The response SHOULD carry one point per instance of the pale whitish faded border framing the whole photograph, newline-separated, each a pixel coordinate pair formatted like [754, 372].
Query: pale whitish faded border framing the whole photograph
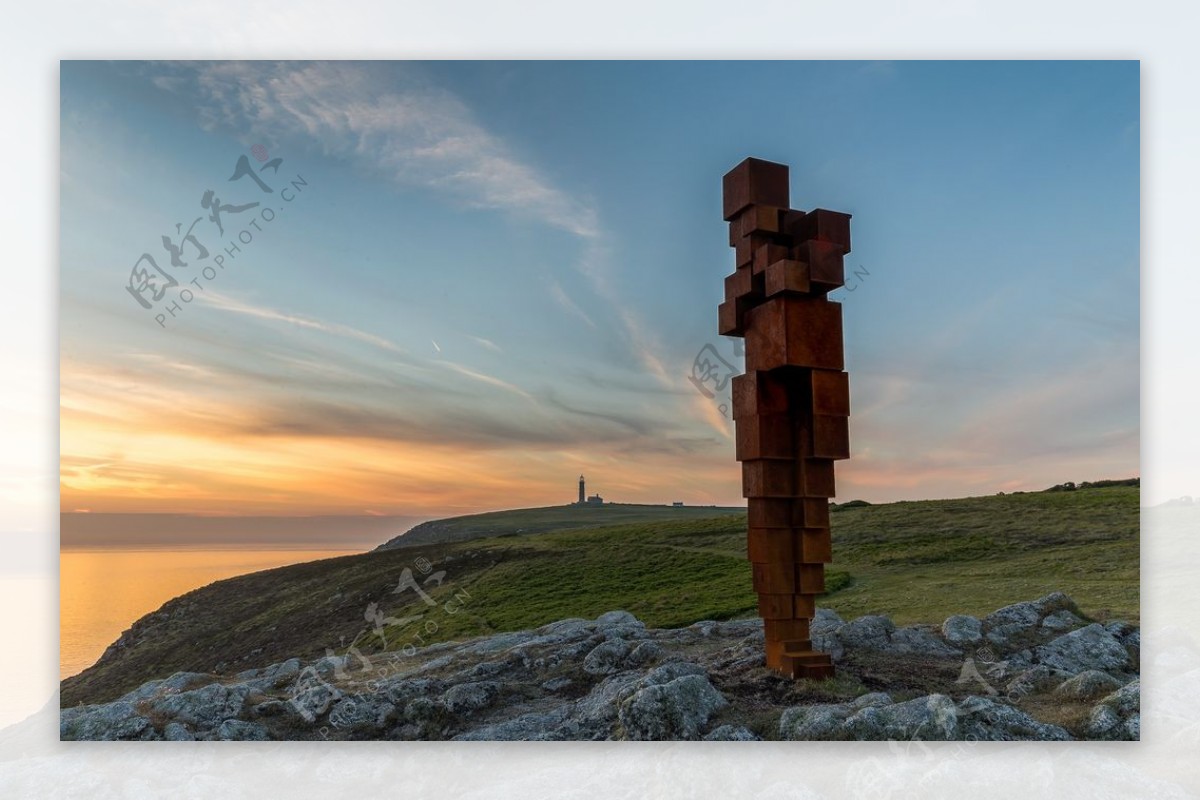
[37, 37]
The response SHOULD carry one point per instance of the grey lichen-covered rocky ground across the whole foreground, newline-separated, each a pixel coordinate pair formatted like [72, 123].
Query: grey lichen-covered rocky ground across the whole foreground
[1034, 671]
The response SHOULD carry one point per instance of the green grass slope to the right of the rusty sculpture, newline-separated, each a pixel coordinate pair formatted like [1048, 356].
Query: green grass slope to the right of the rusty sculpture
[919, 561]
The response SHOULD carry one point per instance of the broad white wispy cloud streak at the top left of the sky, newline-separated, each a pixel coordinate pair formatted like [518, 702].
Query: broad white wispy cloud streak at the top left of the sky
[385, 118]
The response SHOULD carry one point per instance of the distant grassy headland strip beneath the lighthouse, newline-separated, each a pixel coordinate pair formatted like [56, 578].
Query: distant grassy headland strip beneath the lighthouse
[549, 519]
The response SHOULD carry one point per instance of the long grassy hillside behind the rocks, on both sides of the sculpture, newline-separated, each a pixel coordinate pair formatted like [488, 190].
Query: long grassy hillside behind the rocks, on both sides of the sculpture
[915, 562]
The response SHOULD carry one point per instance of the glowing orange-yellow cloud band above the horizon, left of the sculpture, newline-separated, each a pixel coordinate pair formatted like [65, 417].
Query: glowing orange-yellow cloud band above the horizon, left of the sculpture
[161, 449]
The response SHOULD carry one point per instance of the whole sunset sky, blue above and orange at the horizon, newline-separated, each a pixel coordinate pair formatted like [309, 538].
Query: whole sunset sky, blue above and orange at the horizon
[491, 278]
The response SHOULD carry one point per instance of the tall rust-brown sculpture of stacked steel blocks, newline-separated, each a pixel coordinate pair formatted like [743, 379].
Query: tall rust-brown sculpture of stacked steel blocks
[793, 405]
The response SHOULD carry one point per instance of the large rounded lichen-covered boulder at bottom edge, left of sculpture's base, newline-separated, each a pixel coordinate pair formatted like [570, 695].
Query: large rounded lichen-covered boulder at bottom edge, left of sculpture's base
[676, 710]
